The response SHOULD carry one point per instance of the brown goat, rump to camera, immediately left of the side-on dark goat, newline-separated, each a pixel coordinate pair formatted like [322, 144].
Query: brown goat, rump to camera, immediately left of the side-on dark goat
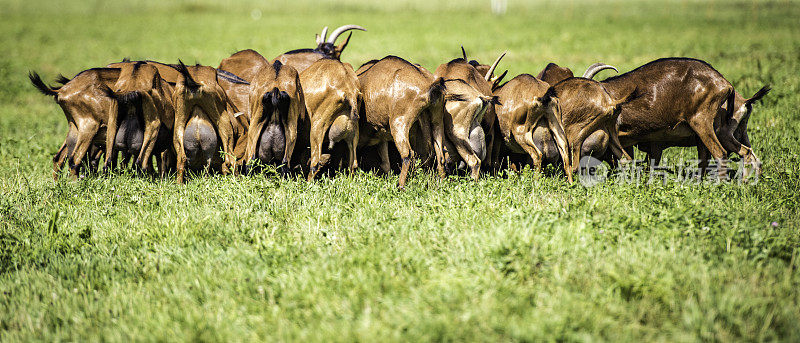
[587, 107]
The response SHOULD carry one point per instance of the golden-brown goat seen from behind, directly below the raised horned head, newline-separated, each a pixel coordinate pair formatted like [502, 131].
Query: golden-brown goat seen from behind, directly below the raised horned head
[332, 97]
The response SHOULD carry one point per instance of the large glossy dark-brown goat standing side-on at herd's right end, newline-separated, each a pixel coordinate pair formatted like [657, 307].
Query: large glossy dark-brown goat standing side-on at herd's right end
[680, 101]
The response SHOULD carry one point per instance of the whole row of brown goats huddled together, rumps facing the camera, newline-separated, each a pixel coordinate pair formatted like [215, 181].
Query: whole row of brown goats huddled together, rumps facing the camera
[306, 111]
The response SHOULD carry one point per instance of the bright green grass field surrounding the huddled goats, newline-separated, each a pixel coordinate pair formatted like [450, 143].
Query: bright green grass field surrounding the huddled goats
[523, 258]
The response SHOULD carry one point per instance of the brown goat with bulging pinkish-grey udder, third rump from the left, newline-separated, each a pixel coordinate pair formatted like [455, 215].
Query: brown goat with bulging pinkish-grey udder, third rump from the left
[203, 110]
